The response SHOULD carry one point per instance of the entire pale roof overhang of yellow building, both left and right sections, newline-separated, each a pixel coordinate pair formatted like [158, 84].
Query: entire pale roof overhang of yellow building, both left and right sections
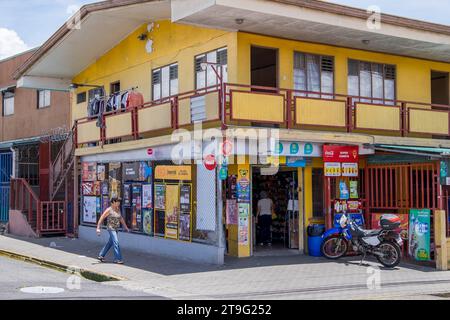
[103, 25]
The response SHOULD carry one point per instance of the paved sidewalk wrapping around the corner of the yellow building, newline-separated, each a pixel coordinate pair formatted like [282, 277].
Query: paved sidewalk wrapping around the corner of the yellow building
[264, 277]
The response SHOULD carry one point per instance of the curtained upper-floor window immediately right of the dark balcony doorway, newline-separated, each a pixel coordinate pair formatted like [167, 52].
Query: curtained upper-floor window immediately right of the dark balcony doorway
[313, 73]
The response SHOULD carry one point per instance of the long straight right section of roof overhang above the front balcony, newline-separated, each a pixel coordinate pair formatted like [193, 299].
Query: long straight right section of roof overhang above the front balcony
[319, 22]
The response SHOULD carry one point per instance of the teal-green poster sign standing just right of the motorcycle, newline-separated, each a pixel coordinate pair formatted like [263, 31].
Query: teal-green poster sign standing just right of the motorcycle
[419, 234]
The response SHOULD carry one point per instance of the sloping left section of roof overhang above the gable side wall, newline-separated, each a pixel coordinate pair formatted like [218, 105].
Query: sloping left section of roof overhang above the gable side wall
[83, 41]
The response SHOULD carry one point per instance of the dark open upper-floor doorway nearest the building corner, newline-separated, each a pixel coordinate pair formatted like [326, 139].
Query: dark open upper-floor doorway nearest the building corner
[264, 67]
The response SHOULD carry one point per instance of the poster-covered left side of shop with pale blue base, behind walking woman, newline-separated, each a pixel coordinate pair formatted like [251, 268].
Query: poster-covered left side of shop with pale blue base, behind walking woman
[162, 205]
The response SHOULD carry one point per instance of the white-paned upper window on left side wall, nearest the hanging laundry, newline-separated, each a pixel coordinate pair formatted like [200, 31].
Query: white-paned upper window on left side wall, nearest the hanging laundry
[165, 81]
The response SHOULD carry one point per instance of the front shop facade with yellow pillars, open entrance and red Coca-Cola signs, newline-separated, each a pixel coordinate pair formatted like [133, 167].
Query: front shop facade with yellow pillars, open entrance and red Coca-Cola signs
[305, 186]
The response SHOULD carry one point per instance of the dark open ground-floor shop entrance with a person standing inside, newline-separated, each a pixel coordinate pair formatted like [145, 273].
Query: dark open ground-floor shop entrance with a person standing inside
[277, 230]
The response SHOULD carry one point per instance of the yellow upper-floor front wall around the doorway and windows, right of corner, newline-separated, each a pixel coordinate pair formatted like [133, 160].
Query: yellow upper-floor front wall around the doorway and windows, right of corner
[413, 75]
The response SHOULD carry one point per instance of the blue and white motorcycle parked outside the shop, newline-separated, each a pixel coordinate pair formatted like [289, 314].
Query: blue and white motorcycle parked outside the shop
[384, 243]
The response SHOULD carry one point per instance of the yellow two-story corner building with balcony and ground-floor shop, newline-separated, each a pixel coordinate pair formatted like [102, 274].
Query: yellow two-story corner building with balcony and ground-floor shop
[325, 108]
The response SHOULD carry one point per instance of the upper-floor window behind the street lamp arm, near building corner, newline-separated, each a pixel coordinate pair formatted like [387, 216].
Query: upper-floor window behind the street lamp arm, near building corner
[208, 78]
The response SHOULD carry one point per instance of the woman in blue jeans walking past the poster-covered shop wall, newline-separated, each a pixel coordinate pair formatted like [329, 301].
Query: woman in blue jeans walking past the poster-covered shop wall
[113, 221]
